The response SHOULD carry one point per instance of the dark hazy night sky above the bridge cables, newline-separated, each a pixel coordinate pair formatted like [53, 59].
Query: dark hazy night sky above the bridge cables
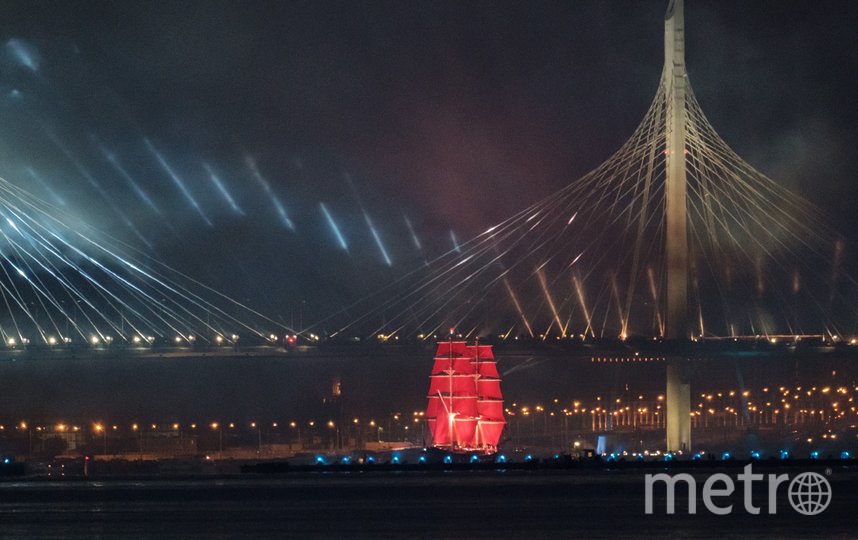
[454, 114]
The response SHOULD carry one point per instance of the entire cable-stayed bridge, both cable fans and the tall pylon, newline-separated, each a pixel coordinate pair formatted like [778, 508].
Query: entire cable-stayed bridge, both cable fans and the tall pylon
[673, 237]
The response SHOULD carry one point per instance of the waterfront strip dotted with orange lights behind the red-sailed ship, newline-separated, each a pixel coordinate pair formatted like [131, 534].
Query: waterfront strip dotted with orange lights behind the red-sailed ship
[797, 419]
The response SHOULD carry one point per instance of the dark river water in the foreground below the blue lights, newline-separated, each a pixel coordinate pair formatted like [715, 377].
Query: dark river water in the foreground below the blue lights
[595, 504]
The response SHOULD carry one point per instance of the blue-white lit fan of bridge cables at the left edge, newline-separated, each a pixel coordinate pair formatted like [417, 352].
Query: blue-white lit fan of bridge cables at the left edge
[64, 284]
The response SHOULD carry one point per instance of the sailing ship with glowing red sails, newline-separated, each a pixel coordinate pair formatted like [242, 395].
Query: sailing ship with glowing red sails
[465, 411]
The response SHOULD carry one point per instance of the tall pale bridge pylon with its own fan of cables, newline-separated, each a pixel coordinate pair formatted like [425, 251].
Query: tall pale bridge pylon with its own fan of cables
[674, 236]
